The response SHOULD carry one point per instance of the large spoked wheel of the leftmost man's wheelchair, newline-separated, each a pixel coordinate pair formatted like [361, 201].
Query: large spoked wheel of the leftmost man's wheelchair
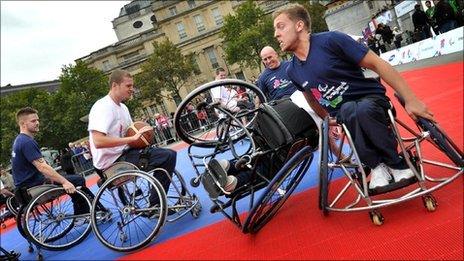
[51, 221]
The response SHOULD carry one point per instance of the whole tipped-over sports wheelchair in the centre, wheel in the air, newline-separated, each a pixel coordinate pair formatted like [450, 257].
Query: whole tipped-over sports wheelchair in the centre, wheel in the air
[257, 140]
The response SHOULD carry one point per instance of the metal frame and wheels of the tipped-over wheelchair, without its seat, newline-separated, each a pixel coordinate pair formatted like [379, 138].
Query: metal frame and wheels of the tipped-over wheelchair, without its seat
[262, 207]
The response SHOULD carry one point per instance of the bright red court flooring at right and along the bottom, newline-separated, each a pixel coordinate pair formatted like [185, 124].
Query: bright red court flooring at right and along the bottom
[299, 231]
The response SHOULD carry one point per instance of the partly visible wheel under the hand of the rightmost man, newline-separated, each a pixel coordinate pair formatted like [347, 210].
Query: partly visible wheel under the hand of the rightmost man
[443, 142]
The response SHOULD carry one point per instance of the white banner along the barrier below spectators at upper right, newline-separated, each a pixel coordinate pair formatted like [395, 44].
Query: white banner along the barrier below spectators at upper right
[449, 42]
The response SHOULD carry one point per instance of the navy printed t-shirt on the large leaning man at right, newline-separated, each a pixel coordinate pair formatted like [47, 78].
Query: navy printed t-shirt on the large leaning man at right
[332, 72]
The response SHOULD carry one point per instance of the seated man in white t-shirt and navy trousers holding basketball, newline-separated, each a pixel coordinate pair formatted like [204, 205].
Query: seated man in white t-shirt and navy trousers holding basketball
[109, 119]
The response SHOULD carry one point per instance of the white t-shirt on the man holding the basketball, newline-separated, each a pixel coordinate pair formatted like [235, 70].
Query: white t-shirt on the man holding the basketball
[113, 120]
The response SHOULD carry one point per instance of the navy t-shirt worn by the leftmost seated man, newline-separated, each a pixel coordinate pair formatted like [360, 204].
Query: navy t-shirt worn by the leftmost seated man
[25, 151]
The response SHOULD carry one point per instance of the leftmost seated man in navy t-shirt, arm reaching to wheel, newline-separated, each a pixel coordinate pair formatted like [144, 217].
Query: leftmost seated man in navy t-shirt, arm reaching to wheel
[30, 168]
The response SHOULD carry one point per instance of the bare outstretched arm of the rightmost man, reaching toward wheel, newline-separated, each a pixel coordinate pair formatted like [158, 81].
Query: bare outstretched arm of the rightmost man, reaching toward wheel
[414, 107]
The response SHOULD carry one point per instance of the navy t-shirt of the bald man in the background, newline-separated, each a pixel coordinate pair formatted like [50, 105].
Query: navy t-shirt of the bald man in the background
[275, 82]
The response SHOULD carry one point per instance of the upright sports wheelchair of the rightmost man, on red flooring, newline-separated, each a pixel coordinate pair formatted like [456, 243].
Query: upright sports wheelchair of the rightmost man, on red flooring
[419, 148]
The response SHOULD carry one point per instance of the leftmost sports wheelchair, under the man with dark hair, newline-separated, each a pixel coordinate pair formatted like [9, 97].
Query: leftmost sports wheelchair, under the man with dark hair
[46, 217]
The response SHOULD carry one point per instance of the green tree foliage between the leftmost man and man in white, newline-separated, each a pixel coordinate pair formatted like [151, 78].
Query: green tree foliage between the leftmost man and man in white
[59, 112]
